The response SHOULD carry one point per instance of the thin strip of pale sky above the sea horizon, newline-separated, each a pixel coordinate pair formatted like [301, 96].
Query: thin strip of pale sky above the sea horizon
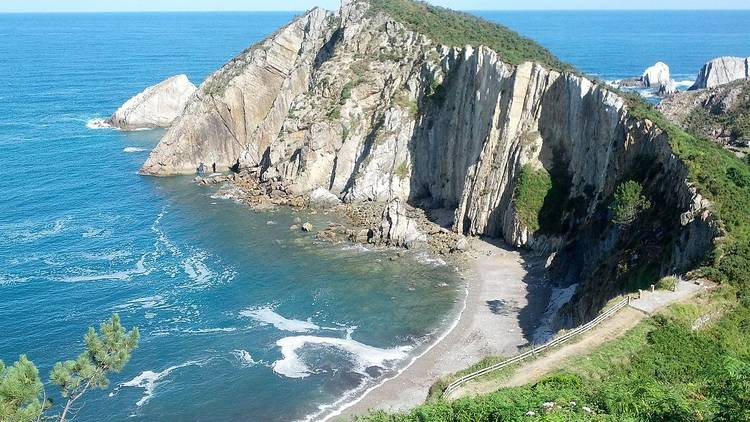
[185, 5]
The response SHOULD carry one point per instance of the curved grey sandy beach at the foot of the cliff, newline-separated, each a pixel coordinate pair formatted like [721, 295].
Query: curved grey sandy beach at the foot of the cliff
[506, 297]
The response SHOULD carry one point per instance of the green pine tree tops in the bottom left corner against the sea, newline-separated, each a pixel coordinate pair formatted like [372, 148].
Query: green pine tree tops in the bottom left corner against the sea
[22, 396]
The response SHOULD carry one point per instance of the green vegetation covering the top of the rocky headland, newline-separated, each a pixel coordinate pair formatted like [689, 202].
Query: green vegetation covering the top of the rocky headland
[456, 29]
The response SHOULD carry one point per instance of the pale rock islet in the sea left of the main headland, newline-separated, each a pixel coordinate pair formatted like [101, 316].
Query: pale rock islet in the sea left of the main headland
[156, 107]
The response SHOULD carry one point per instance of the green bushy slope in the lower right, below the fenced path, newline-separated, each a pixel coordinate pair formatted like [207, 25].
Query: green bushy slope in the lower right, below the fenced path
[661, 370]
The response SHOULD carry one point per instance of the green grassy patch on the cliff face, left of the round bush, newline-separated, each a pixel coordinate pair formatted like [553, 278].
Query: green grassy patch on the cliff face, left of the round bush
[533, 187]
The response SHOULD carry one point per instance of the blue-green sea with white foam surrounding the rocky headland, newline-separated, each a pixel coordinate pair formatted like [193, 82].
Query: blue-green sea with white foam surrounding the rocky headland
[241, 318]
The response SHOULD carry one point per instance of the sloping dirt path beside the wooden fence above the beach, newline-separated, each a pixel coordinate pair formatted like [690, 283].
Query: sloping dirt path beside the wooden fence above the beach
[610, 329]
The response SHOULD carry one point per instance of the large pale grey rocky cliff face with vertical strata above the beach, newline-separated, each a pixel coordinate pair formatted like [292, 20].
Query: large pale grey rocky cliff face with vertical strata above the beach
[356, 103]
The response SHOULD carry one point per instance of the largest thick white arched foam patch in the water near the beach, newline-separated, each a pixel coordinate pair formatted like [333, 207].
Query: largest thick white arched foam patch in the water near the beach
[364, 356]
